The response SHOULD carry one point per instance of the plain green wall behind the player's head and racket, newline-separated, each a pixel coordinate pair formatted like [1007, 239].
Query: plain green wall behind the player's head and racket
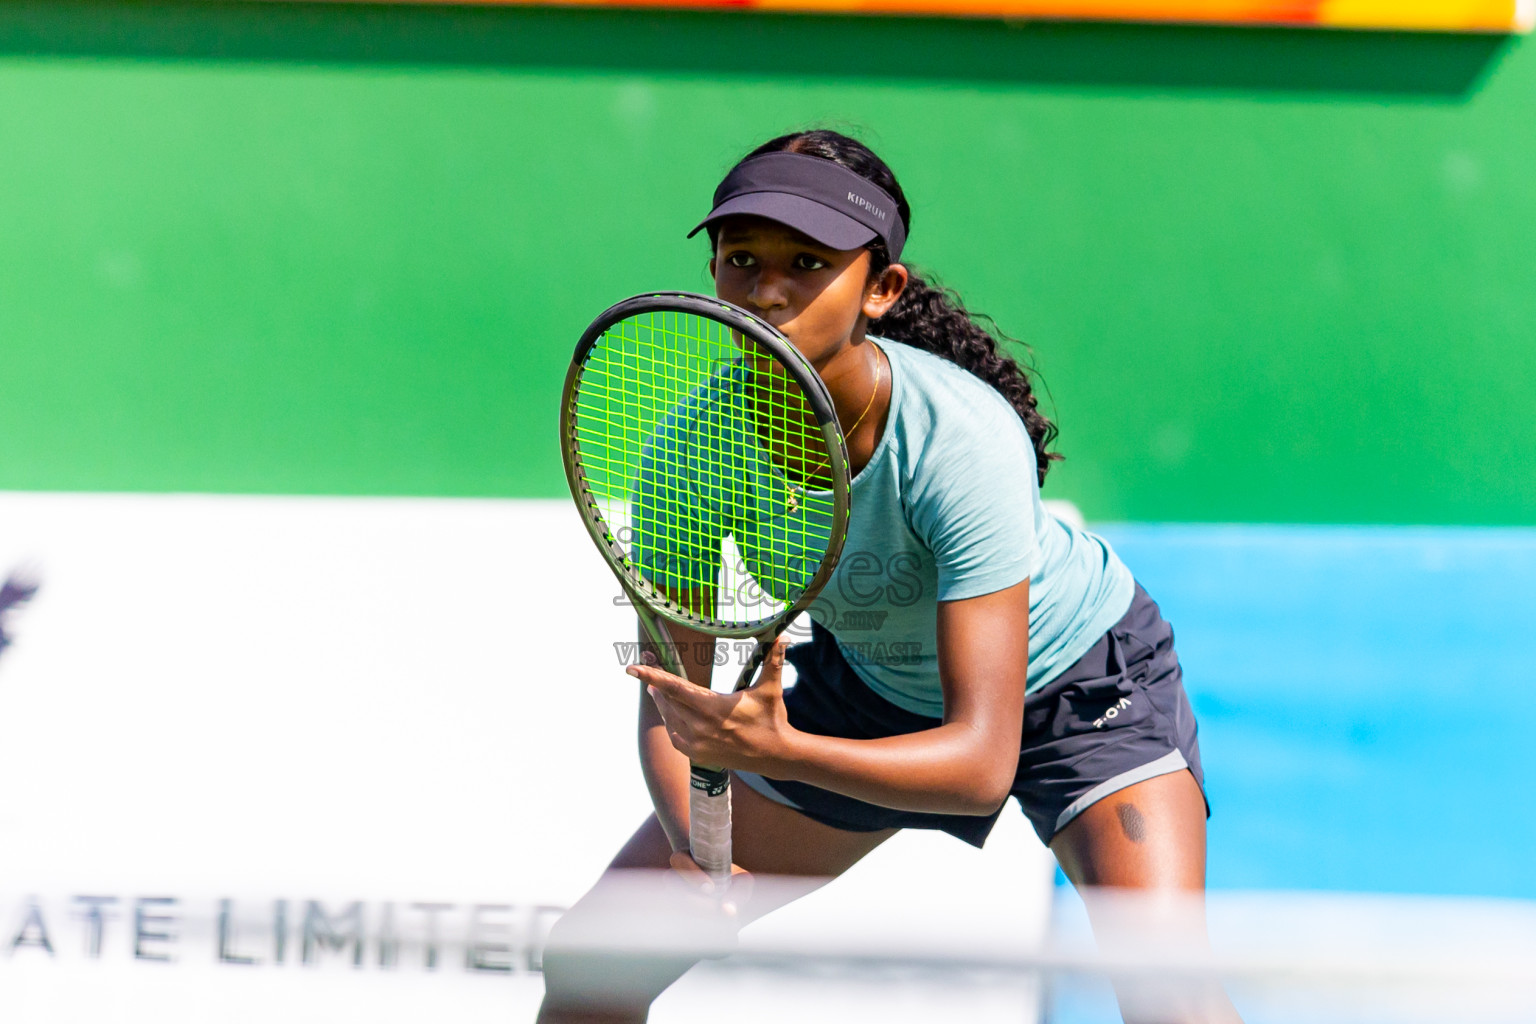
[1268, 276]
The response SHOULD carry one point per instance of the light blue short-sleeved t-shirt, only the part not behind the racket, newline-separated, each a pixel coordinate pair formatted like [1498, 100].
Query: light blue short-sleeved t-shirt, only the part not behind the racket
[948, 507]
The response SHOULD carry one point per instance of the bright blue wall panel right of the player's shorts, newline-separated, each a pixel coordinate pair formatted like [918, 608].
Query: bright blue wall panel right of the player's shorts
[1365, 701]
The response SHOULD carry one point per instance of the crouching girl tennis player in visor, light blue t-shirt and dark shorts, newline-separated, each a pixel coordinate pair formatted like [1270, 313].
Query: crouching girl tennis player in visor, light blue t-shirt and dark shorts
[970, 646]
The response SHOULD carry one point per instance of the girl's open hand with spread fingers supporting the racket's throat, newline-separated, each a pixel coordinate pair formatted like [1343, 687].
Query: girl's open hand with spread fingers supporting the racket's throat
[749, 730]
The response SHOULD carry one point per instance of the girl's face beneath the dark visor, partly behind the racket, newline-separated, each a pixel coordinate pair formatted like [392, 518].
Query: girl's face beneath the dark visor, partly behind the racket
[821, 299]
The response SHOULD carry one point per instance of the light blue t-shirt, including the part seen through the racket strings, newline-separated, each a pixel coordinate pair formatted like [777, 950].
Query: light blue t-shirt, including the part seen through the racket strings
[948, 507]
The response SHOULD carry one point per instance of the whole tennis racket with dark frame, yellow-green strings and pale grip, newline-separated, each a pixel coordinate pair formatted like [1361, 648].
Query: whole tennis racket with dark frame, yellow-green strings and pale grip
[709, 466]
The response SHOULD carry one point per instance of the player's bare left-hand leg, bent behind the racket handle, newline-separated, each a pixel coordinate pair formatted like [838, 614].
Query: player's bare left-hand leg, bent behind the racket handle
[767, 839]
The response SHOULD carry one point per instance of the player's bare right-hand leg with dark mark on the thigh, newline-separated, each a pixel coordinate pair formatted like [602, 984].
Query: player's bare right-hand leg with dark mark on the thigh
[1148, 837]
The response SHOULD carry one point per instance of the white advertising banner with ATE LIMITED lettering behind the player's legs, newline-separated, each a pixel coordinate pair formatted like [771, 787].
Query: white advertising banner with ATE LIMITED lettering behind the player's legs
[346, 759]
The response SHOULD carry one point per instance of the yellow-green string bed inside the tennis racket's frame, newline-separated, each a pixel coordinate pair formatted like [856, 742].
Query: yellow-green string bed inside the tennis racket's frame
[707, 466]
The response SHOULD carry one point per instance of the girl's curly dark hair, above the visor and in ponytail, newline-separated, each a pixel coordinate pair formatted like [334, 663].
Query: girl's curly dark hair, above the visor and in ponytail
[930, 315]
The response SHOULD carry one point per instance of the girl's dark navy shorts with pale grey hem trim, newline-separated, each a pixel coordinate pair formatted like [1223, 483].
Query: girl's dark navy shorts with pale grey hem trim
[1116, 718]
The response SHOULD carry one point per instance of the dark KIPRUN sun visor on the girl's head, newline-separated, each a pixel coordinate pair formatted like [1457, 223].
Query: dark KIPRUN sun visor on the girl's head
[821, 200]
